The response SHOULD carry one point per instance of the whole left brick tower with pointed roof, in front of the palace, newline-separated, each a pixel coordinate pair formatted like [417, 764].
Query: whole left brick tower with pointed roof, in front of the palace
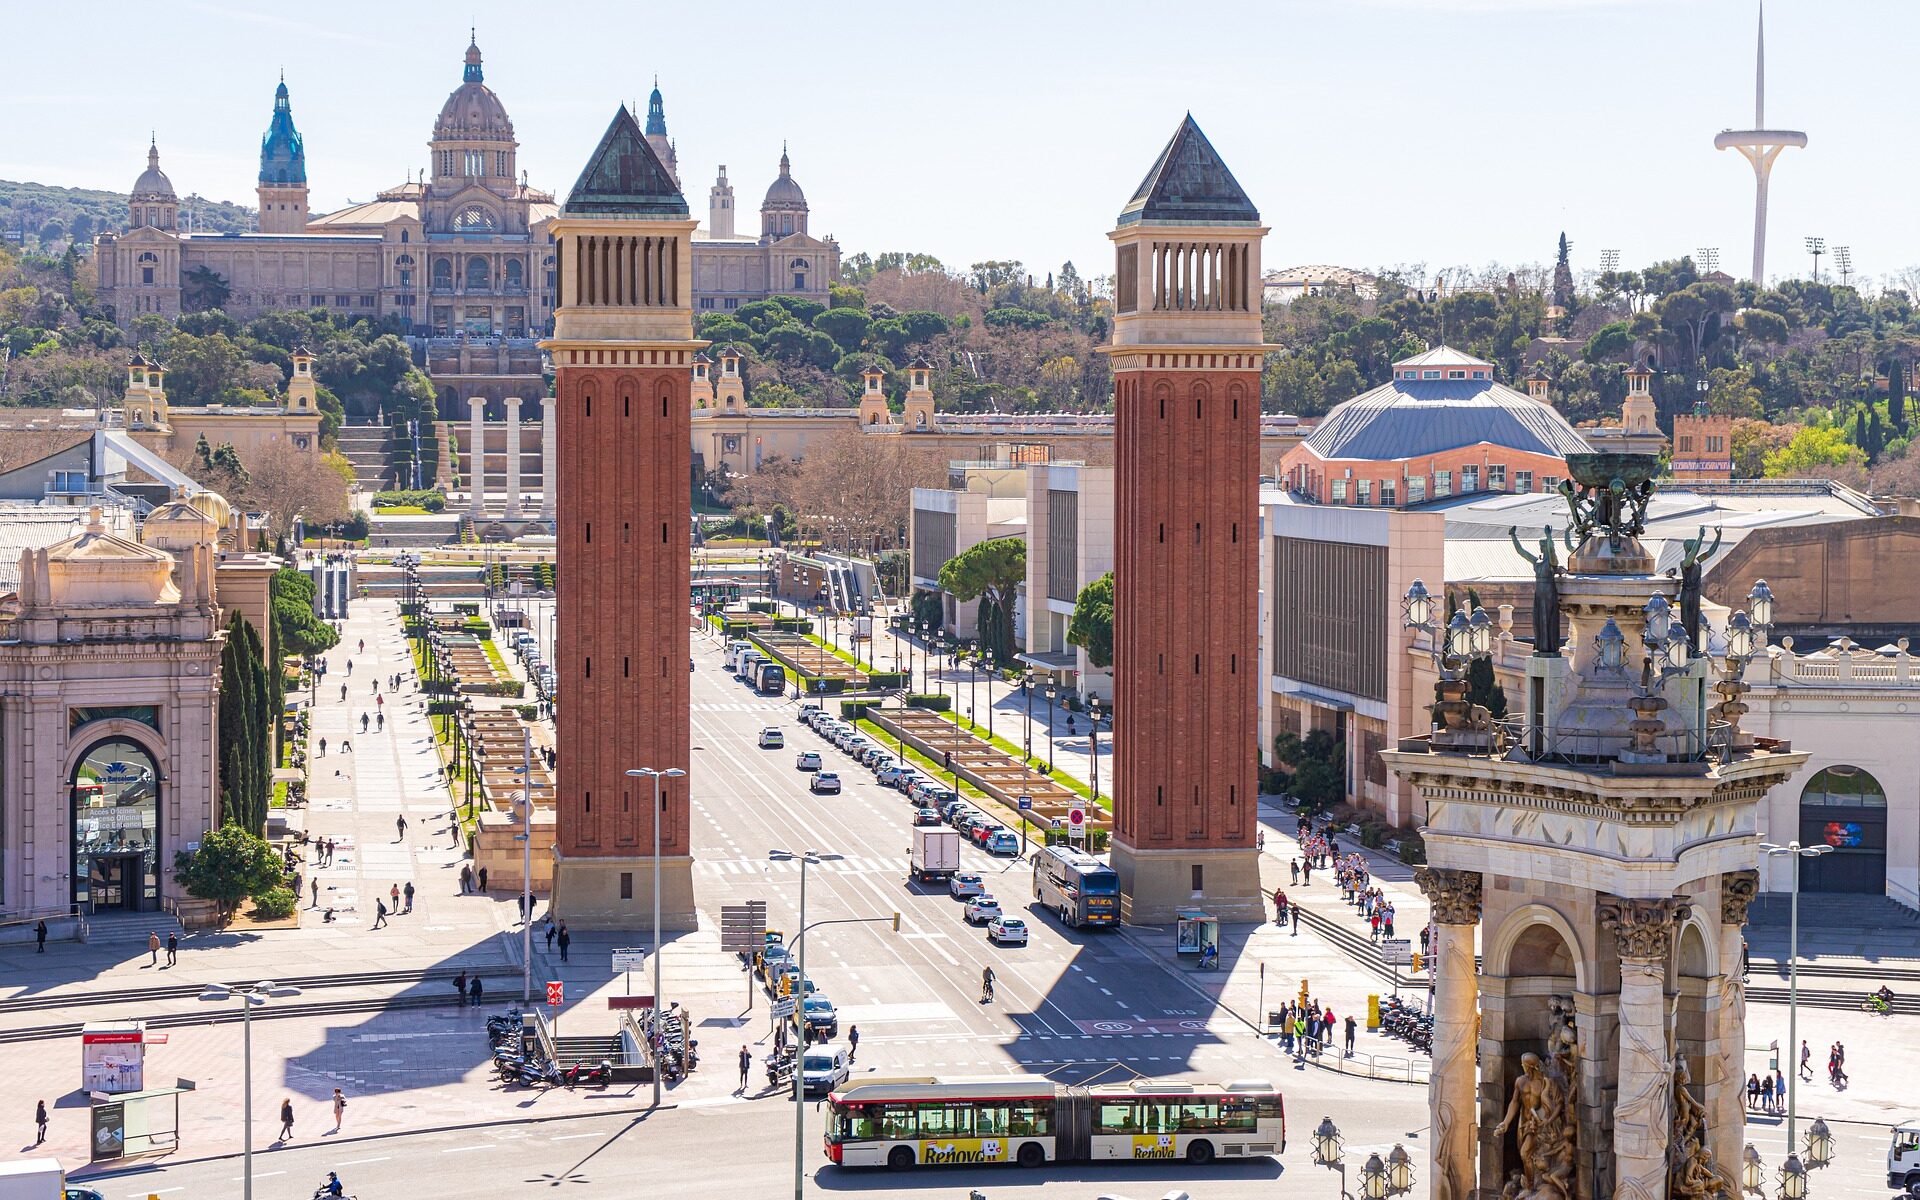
[623, 352]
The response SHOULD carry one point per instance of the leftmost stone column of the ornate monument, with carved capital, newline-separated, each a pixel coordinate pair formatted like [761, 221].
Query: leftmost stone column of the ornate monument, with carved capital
[1452, 1093]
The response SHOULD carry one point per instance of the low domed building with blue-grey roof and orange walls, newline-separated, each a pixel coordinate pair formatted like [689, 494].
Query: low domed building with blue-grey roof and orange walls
[1441, 427]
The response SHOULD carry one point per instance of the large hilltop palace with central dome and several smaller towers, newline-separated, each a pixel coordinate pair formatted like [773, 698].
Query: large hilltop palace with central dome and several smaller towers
[460, 252]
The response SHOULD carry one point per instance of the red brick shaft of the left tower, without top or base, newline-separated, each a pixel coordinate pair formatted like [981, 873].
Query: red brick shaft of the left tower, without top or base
[623, 521]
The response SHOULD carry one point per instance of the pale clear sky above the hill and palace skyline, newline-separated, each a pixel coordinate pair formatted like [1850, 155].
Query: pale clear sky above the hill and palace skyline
[1368, 132]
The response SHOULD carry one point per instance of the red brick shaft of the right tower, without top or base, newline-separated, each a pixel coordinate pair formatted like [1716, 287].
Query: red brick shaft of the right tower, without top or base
[1186, 592]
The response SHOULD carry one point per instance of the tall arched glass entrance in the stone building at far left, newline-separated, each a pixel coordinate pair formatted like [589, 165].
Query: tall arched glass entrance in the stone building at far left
[116, 828]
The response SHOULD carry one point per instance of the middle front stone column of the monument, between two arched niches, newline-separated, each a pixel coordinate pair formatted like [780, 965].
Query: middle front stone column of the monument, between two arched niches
[1643, 1118]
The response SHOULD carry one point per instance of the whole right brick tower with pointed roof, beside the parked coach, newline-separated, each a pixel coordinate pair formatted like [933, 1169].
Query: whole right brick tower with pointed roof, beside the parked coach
[1188, 354]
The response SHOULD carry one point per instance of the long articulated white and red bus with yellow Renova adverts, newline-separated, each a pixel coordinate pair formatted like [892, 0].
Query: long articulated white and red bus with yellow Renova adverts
[1032, 1120]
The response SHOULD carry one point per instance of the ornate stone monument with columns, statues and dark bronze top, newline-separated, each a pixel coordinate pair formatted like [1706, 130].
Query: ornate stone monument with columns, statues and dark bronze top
[1602, 852]
